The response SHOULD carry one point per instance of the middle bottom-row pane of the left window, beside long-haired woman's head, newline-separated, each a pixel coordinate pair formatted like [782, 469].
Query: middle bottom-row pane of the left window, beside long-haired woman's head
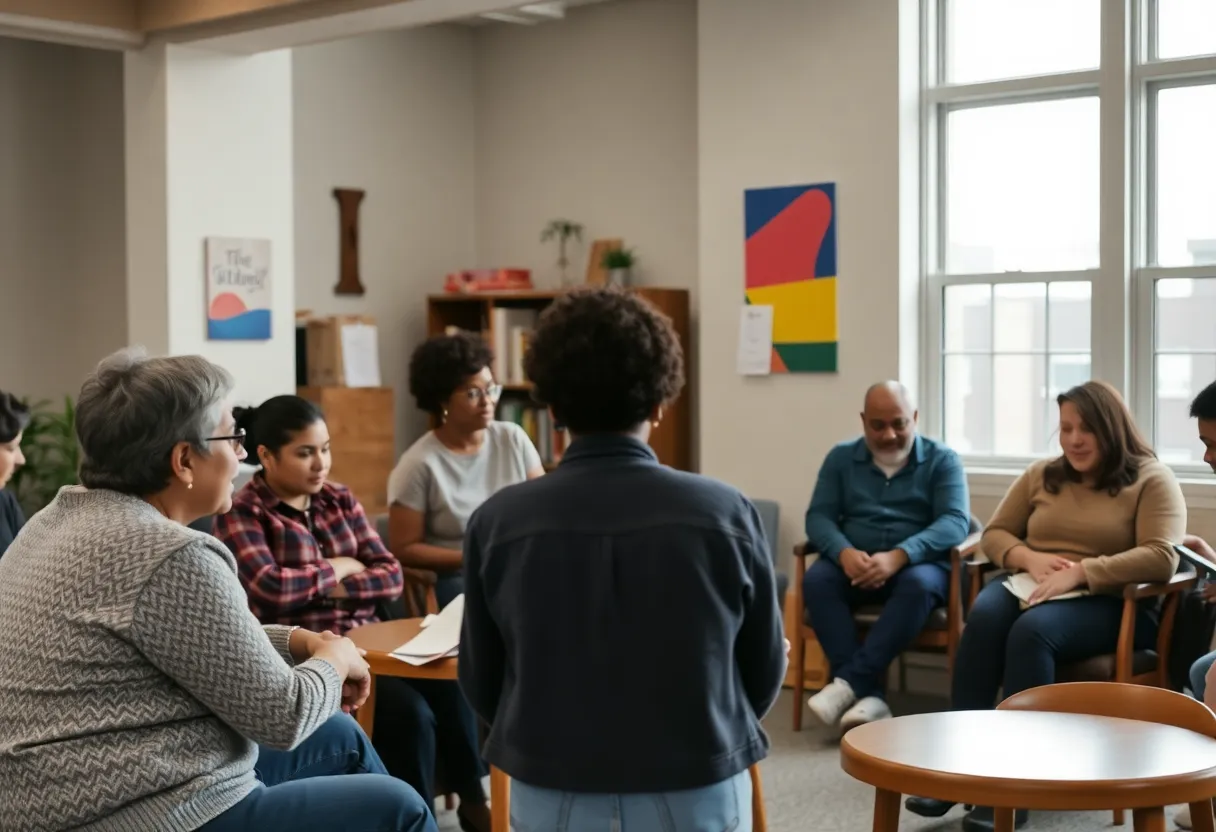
[1020, 406]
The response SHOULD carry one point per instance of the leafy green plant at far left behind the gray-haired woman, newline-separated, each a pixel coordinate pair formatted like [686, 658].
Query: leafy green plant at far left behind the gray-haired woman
[53, 457]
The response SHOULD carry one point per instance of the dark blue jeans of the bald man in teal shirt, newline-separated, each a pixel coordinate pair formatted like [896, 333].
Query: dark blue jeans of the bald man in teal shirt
[908, 599]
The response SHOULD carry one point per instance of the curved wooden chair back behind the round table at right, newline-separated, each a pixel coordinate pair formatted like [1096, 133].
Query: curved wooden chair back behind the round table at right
[1142, 702]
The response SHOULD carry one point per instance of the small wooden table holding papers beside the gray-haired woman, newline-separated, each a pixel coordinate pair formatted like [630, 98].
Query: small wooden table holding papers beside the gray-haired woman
[380, 640]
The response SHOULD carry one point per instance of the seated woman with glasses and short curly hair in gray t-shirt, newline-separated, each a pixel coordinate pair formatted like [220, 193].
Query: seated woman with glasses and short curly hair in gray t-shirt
[452, 470]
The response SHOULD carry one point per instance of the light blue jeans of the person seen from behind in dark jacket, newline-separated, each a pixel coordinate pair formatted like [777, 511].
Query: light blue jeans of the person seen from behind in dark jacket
[723, 807]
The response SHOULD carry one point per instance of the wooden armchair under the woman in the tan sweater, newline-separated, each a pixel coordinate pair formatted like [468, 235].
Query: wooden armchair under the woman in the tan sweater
[1127, 665]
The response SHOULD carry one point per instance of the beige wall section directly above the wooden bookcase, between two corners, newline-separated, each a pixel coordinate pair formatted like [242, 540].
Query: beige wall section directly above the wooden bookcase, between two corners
[593, 119]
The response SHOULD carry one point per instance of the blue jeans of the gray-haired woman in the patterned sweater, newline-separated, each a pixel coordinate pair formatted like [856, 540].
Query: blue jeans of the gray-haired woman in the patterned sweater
[333, 782]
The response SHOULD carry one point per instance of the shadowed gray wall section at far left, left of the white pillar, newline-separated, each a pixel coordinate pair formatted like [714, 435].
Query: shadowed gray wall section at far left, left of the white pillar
[61, 215]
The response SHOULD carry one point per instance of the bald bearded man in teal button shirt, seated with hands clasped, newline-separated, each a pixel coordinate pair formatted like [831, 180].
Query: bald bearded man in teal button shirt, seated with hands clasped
[887, 510]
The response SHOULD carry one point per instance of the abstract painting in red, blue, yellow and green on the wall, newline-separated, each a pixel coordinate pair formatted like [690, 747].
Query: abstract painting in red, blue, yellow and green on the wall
[791, 265]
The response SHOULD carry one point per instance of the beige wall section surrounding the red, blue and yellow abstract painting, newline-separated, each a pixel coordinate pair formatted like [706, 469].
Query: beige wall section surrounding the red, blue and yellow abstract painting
[797, 93]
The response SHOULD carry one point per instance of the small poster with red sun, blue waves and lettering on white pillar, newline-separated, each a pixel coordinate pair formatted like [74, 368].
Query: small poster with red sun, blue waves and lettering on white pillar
[238, 289]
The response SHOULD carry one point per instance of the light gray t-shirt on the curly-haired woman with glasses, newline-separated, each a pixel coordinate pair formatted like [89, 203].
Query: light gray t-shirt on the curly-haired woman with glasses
[448, 487]
